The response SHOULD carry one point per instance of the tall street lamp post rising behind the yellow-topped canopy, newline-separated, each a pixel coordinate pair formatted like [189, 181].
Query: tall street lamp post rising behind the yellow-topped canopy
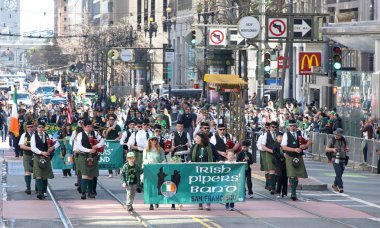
[203, 11]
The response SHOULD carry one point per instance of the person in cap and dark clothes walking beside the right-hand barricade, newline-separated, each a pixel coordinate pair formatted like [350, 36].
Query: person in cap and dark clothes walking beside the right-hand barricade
[338, 148]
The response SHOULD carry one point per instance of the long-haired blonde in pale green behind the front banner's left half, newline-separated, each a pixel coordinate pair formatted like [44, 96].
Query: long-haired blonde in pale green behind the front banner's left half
[153, 153]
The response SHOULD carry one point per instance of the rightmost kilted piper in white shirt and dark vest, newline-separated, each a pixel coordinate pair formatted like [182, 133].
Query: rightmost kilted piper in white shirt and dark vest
[295, 166]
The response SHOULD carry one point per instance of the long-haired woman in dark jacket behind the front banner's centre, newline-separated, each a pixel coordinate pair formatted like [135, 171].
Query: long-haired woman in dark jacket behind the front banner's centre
[203, 151]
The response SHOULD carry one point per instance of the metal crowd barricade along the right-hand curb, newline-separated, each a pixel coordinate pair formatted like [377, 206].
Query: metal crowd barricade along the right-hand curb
[362, 152]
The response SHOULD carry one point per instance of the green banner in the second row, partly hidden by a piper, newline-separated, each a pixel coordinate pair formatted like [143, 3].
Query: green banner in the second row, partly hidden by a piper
[112, 157]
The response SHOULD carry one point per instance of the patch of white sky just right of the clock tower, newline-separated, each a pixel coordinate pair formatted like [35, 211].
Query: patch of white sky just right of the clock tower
[36, 15]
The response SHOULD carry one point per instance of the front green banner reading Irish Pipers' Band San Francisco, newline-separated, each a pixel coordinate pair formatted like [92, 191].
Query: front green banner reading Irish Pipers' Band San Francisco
[193, 183]
